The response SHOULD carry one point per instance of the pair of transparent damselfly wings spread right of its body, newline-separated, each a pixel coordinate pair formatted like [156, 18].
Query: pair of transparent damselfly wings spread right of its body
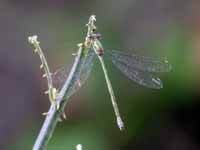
[139, 68]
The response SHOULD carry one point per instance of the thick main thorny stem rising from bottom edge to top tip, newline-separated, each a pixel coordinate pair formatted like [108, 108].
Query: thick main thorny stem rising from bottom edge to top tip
[62, 97]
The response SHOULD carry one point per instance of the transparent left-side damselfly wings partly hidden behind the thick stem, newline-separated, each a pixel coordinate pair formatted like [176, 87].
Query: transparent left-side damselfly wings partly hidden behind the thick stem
[60, 76]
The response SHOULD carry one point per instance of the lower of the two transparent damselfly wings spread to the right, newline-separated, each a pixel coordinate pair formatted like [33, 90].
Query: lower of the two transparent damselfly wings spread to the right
[138, 76]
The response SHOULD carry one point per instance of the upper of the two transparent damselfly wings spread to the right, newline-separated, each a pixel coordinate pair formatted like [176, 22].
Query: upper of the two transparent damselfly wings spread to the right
[140, 62]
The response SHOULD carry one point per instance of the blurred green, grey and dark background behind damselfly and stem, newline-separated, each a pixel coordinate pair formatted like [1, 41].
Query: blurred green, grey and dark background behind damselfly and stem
[166, 119]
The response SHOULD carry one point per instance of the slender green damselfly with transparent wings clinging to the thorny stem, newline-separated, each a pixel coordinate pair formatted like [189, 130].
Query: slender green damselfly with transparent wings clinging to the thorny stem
[137, 68]
